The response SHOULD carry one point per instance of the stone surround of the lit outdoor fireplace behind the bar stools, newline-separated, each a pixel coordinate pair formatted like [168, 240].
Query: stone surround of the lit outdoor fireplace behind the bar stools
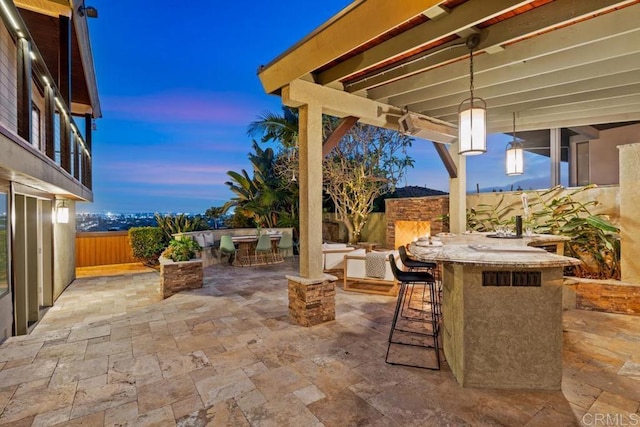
[415, 209]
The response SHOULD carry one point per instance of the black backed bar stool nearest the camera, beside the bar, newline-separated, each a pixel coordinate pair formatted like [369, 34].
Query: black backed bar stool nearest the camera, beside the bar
[419, 327]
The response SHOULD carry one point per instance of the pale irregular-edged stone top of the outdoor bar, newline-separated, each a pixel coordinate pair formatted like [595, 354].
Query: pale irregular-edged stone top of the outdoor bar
[478, 249]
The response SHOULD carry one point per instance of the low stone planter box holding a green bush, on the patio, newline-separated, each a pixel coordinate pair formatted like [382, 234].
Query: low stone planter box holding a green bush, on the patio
[179, 276]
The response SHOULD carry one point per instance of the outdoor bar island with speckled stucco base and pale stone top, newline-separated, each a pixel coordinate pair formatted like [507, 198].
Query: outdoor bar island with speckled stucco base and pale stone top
[501, 308]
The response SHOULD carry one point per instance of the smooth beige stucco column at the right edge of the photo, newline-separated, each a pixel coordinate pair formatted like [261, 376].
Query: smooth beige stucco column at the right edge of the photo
[629, 202]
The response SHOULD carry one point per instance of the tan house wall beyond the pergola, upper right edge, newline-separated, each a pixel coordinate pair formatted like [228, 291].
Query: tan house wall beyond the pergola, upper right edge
[604, 167]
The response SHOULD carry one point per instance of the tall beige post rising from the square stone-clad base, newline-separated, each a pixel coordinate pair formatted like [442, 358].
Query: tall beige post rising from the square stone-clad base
[310, 142]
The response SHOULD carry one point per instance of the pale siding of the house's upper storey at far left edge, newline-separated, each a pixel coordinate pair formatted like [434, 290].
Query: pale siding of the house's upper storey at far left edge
[8, 78]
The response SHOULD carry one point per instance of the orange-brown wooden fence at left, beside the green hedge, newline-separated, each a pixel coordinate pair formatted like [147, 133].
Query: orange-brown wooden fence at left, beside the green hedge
[103, 248]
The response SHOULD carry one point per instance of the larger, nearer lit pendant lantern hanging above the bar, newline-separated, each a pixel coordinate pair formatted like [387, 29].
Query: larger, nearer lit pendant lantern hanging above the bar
[472, 114]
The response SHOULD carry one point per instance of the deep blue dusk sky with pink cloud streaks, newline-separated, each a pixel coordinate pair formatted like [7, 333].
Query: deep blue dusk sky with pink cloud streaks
[178, 87]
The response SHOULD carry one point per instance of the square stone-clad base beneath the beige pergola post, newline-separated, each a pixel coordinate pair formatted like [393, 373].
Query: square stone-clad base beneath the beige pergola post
[312, 301]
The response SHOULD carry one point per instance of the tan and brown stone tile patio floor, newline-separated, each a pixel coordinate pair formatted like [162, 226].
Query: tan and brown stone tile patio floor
[111, 353]
